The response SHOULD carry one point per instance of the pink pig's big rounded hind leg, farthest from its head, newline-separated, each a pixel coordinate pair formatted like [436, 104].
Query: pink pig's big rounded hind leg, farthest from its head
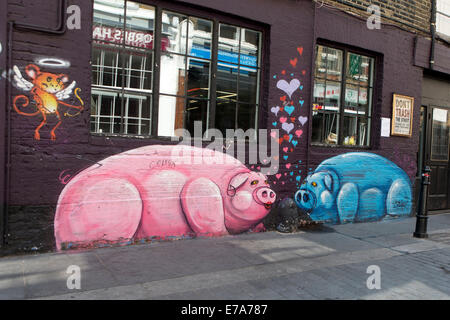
[97, 208]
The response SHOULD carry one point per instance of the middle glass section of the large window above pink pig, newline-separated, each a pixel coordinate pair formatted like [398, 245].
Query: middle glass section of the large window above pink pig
[185, 72]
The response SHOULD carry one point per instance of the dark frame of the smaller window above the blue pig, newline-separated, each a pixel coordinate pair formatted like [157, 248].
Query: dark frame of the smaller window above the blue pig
[343, 85]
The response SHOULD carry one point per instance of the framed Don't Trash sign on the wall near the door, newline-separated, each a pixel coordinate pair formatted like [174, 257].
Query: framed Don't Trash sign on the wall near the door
[402, 115]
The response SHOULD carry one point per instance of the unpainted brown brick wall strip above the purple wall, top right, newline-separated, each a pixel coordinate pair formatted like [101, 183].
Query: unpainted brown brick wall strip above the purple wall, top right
[413, 15]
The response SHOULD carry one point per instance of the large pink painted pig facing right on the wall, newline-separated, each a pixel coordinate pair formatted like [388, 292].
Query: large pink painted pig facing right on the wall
[161, 192]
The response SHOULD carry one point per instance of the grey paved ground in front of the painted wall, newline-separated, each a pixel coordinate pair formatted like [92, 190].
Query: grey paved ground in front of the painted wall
[330, 262]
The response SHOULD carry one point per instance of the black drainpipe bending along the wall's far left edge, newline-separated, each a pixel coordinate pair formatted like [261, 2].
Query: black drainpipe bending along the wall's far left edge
[59, 30]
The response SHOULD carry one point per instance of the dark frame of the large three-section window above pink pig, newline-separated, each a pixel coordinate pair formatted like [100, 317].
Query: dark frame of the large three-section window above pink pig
[216, 18]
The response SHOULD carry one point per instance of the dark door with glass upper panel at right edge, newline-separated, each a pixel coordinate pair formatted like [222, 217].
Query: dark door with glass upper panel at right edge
[437, 130]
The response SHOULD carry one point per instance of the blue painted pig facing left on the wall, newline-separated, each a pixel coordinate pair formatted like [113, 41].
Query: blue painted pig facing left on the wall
[355, 187]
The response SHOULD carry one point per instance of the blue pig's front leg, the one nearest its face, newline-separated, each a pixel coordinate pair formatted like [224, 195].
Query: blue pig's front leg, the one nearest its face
[347, 202]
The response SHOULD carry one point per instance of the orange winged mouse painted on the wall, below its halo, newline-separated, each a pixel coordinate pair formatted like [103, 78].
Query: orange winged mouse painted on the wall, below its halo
[47, 92]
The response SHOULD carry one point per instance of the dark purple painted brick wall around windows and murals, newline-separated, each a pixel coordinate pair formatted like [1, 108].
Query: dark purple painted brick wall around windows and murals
[36, 165]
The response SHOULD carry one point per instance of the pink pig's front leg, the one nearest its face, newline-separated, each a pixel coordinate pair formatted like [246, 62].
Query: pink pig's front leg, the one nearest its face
[203, 206]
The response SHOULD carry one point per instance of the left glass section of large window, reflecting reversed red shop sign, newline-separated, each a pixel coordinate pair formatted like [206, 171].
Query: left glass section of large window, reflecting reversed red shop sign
[122, 67]
